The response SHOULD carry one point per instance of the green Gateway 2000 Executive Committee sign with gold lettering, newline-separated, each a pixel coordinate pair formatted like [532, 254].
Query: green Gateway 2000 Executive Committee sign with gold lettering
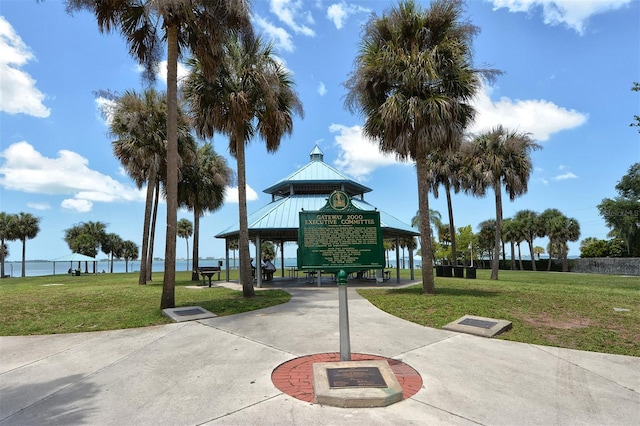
[340, 236]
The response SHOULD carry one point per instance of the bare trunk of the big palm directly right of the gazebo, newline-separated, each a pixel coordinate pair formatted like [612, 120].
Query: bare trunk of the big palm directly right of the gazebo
[428, 281]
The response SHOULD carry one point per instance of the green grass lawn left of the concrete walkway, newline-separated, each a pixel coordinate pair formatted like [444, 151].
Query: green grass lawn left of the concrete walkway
[91, 302]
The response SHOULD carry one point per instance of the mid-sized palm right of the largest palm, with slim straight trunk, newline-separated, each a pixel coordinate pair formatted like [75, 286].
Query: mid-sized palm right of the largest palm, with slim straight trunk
[496, 158]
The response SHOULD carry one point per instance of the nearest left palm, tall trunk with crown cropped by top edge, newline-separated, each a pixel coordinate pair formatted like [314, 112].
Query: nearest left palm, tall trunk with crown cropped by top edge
[198, 26]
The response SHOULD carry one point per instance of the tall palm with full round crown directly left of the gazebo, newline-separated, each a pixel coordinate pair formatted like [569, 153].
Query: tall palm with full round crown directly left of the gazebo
[253, 95]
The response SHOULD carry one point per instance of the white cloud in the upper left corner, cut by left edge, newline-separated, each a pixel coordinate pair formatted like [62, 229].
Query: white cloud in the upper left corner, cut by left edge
[18, 92]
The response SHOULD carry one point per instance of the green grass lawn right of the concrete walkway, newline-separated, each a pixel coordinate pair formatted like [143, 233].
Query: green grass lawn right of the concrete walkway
[573, 311]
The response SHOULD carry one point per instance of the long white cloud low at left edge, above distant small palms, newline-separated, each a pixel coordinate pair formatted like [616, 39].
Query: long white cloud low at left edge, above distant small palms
[25, 169]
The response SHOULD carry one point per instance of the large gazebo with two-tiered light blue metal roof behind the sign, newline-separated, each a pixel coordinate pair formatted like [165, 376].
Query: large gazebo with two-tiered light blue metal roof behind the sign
[308, 189]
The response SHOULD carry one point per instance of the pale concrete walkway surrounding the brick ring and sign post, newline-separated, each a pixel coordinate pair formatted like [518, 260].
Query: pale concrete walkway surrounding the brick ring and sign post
[218, 372]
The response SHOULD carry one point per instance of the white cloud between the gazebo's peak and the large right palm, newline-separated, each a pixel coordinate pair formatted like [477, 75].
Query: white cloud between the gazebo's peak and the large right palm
[360, 156]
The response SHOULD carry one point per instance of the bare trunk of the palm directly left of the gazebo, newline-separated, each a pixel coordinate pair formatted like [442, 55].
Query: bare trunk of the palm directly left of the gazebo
[246, 278]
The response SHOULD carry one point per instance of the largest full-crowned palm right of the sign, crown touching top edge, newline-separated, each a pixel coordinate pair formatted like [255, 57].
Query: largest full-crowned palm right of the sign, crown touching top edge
[413, 82]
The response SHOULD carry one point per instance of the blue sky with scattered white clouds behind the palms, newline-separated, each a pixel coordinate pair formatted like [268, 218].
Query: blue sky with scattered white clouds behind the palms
[569, 66]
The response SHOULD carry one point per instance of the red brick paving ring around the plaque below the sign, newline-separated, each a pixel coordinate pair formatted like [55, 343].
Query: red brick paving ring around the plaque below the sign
[295, 377]
